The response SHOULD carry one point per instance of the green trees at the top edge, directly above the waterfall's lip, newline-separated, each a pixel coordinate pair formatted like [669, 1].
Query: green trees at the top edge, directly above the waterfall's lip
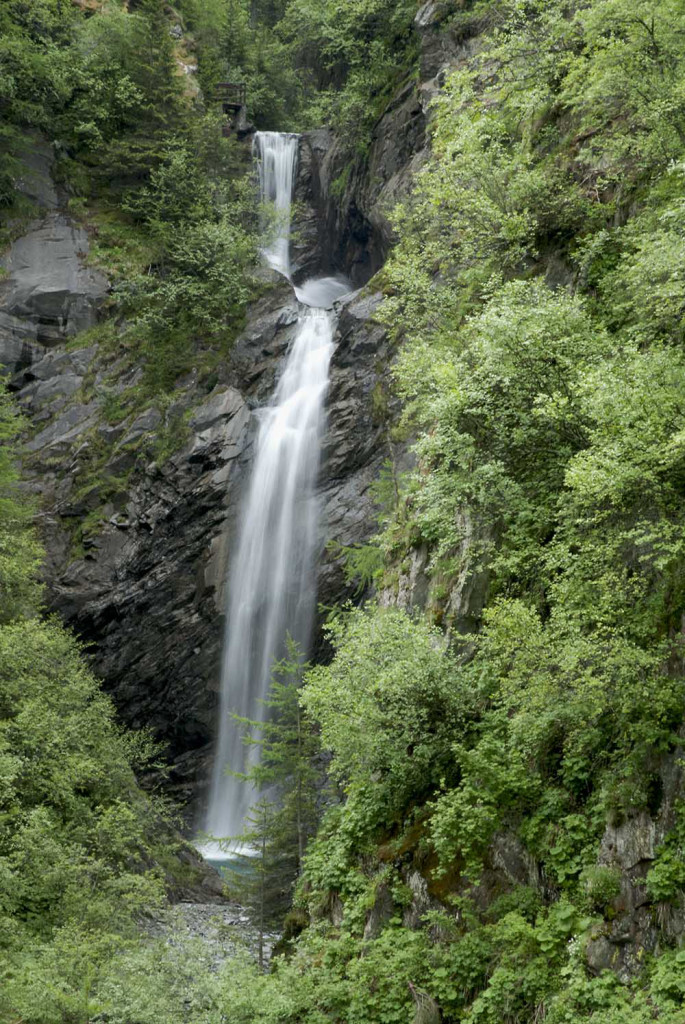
[308, 64]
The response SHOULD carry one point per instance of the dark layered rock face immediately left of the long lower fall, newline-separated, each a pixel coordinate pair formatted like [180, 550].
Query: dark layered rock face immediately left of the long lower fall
[146, 590]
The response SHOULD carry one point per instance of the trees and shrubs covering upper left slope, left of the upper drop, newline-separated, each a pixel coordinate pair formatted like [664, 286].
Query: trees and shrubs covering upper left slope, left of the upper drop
[144, 165]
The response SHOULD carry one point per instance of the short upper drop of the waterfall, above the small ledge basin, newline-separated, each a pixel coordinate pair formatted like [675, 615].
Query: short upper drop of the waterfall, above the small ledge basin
[276, 154]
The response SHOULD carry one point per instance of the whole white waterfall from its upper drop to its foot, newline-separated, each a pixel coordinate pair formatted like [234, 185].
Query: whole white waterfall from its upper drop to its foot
[272, 579]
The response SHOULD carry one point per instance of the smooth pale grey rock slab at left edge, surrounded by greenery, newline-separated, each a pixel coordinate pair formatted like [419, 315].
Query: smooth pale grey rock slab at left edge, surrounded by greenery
[49, 294]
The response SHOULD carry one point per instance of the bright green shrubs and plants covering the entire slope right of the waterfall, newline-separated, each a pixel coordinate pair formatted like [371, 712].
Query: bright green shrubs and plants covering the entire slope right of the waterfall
[536, 293]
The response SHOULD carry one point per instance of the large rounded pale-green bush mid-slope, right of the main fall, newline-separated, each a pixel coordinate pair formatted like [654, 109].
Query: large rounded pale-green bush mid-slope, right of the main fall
[502, 401]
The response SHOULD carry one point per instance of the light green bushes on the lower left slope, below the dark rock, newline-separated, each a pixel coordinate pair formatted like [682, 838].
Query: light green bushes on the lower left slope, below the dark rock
[81, 846]
